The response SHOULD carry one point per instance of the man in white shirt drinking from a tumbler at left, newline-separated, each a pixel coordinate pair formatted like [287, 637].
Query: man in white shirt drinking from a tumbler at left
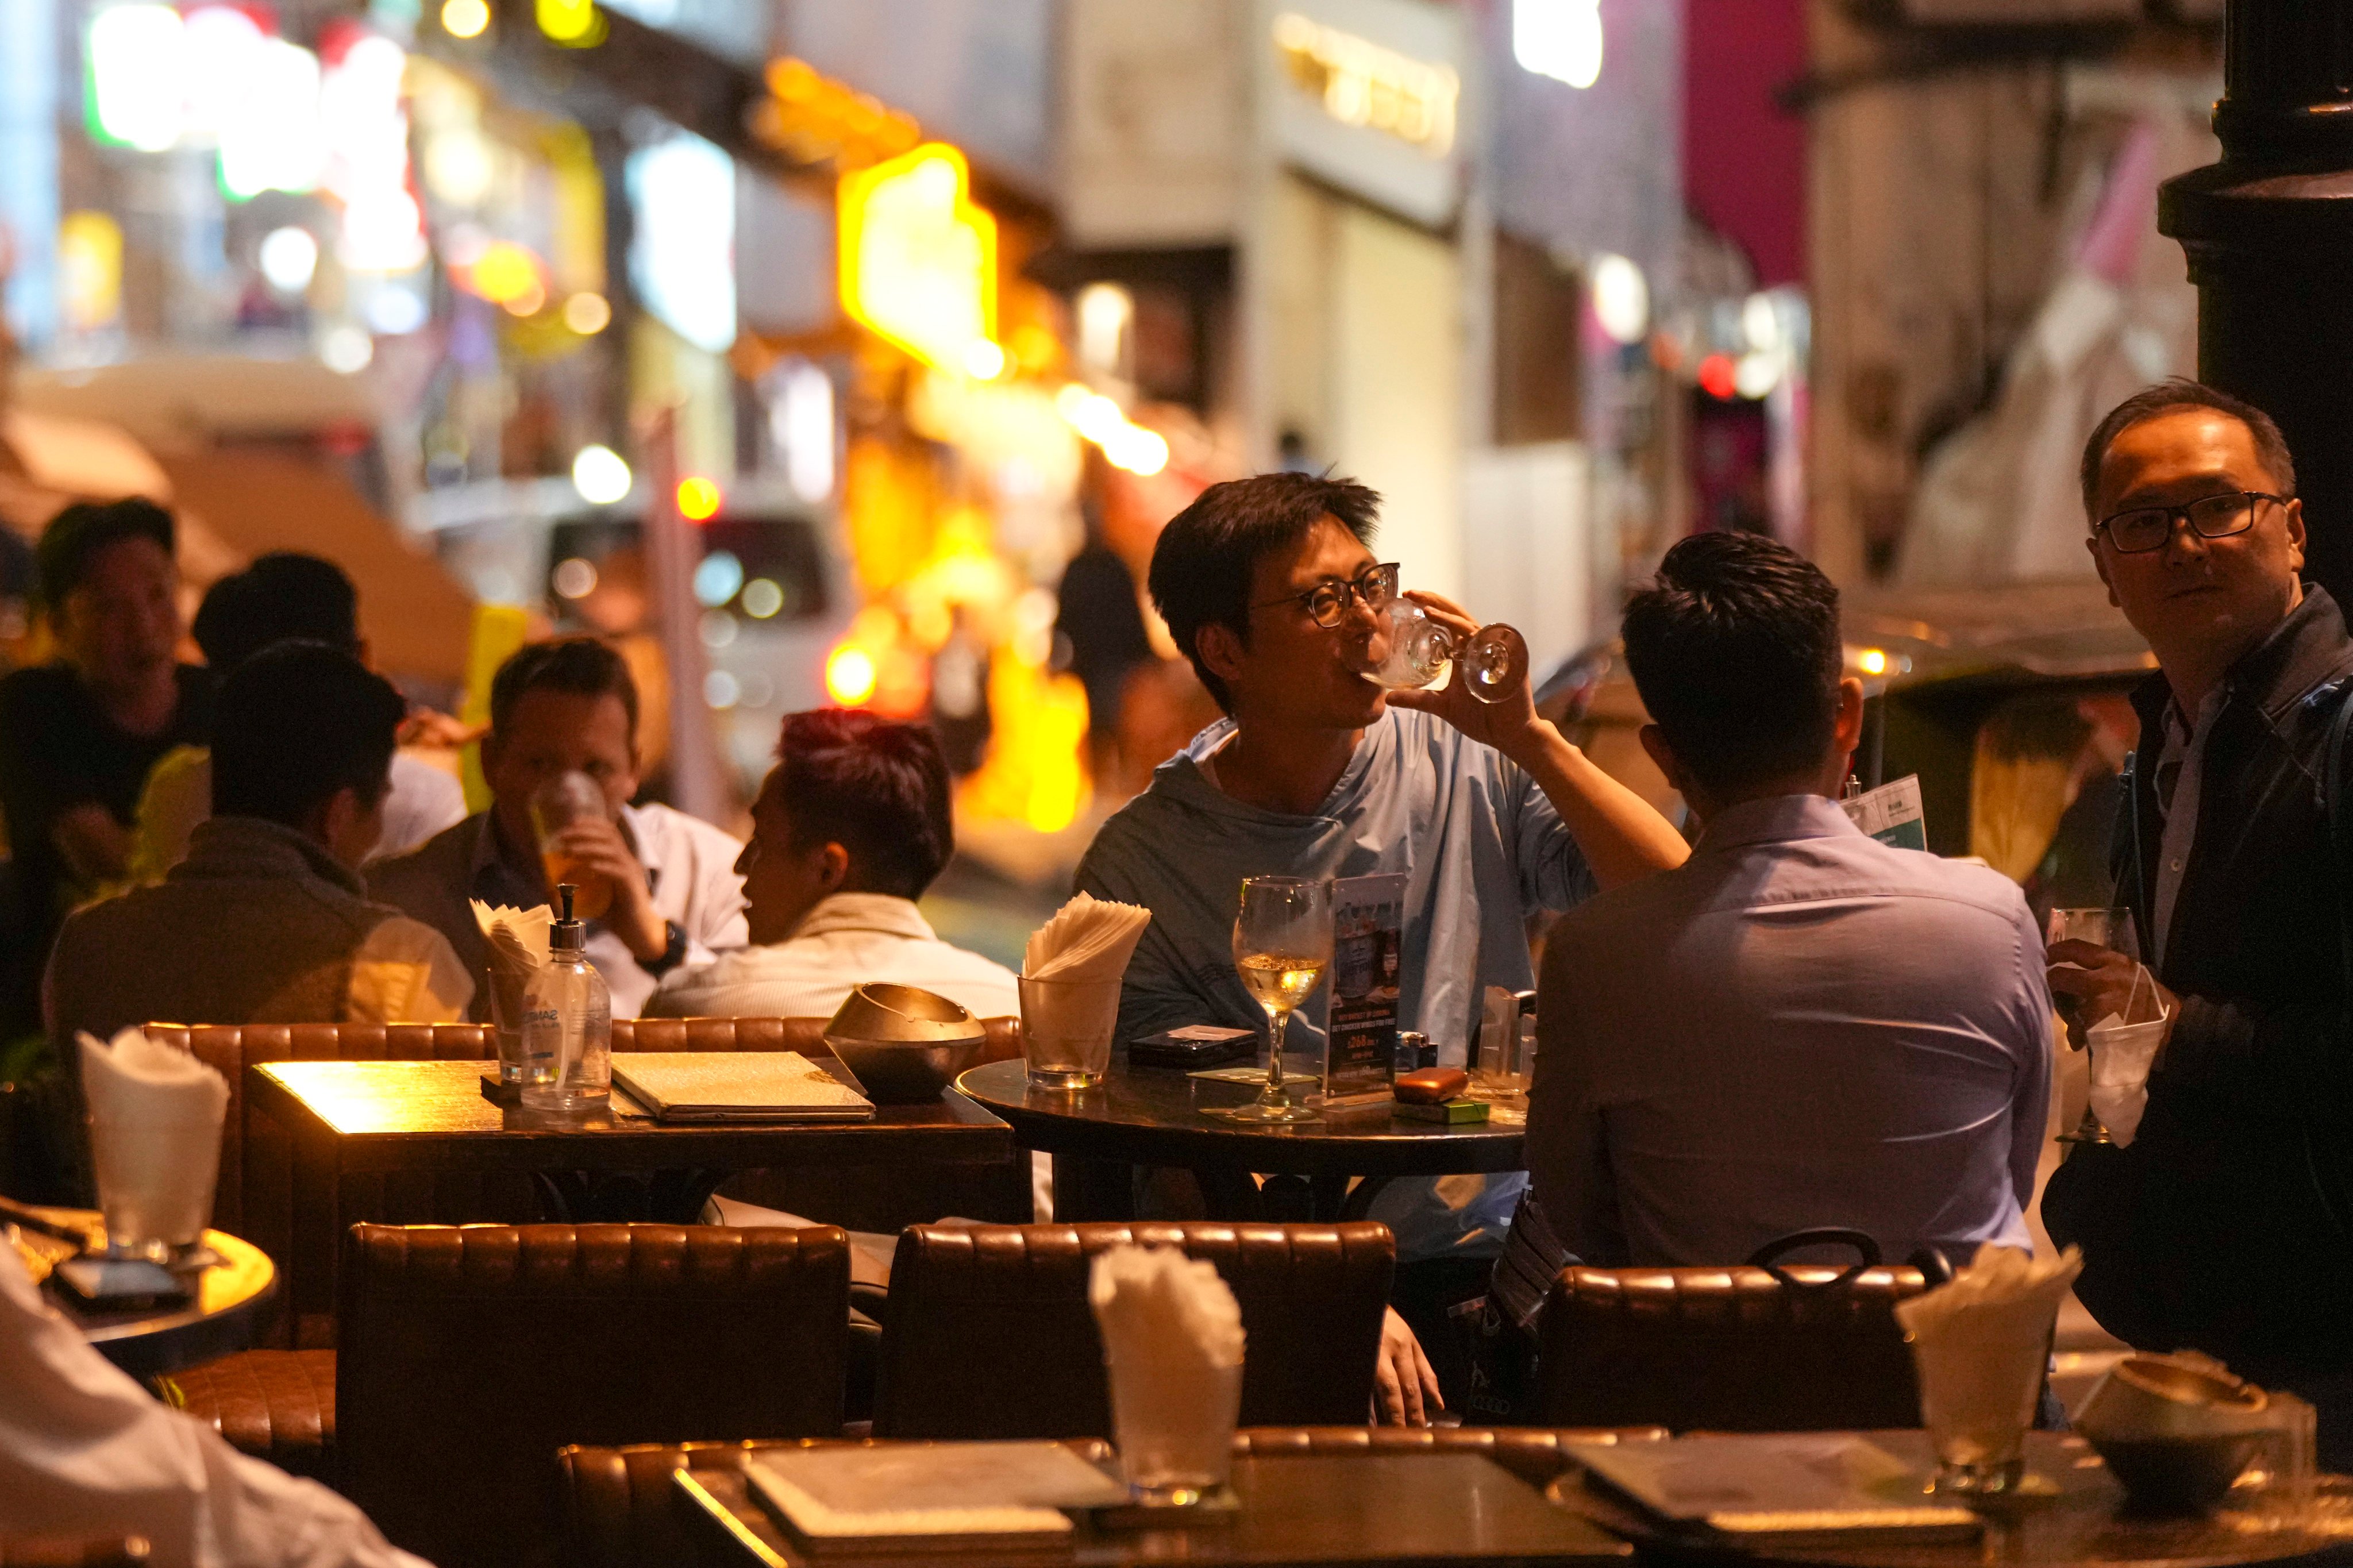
[676, 898]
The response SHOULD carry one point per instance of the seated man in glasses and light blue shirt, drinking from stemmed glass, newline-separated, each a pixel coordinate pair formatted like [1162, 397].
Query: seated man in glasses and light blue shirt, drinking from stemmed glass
[1272, 592]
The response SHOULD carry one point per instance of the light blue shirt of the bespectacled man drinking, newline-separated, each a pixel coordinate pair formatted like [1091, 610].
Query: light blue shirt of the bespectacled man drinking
[1479, 844]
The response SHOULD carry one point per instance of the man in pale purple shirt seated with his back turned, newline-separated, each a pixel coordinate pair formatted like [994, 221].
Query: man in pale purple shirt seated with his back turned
[1799, 1025]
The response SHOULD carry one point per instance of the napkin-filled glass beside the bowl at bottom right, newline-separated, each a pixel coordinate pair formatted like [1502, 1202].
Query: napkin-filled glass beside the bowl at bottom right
[1980, 1346]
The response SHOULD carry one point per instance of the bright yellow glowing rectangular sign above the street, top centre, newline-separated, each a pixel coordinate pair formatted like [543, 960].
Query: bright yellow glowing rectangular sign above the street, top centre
[919, 258]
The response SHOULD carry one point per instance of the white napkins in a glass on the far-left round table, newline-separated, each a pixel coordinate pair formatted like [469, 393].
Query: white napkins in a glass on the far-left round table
[154, 1134]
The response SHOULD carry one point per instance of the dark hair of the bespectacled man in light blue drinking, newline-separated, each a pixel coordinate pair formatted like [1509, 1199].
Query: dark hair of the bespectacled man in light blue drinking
[1213, 550]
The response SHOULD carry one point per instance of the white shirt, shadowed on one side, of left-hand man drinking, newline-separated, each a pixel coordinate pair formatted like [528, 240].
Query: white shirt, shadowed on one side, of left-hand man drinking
[688, 868]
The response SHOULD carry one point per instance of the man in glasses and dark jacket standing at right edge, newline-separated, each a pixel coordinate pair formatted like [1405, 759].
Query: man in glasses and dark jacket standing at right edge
[2227, 1225]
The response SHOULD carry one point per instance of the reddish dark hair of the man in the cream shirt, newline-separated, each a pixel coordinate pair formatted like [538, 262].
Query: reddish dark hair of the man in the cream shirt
[874, 788]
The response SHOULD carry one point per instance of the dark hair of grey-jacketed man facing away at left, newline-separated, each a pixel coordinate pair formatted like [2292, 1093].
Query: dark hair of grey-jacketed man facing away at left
[298, 724]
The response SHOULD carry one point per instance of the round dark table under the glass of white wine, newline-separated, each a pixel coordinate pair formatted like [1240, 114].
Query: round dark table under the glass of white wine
[1164, 1117]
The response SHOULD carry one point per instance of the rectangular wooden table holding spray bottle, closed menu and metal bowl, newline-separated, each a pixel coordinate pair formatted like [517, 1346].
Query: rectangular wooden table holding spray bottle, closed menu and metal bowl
[427, 1117]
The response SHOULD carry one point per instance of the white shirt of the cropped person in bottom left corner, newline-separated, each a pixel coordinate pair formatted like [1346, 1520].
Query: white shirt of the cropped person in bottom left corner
[88, 1451]
